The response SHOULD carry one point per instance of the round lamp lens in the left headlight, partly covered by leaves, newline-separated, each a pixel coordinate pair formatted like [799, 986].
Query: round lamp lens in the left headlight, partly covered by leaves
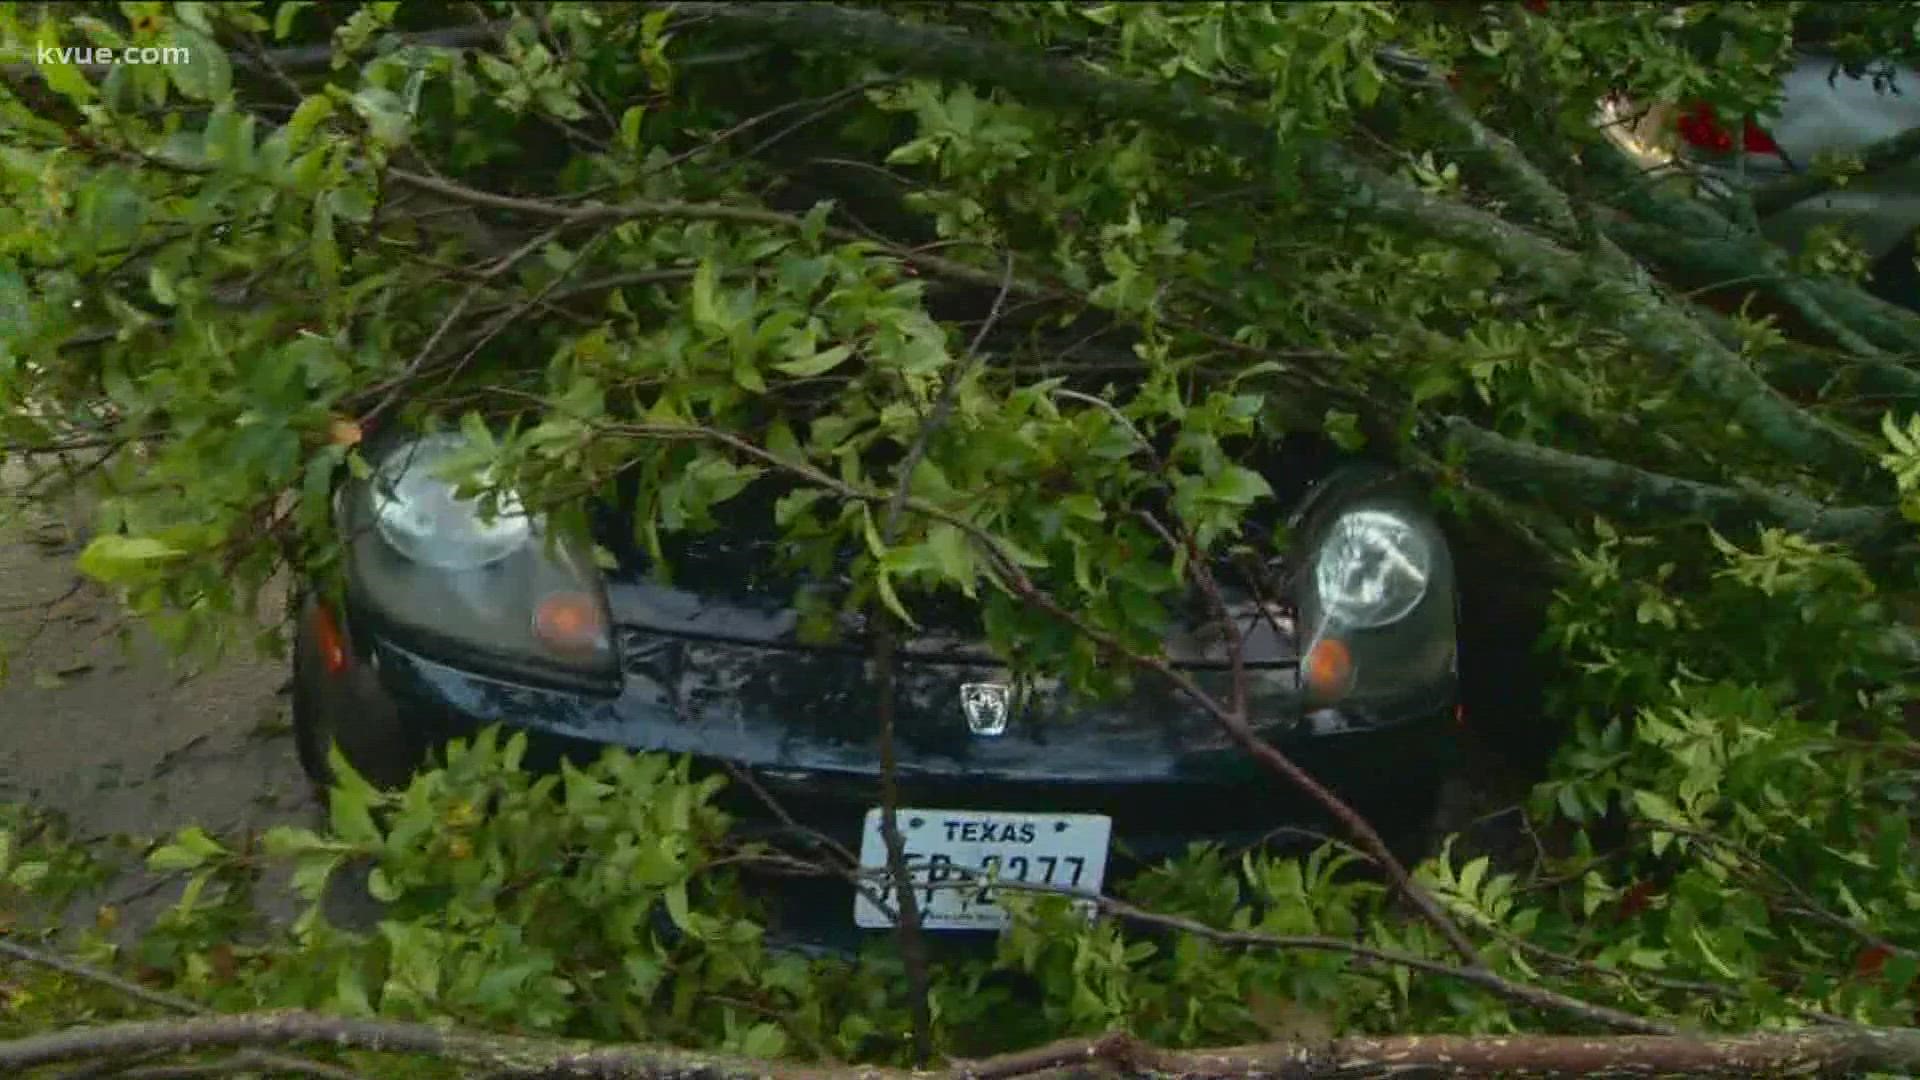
[425, 522]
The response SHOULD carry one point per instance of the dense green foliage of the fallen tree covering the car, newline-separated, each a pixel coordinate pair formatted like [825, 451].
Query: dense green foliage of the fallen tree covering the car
[717, 258]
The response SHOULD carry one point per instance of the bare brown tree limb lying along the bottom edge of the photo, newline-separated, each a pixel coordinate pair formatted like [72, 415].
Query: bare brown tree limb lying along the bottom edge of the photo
[1813, 1050]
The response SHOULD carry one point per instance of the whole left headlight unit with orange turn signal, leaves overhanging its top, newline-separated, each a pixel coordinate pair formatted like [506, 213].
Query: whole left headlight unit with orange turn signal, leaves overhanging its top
[491, 593]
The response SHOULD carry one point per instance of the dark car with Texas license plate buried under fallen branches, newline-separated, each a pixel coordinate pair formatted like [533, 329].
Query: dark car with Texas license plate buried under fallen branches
[452, 622]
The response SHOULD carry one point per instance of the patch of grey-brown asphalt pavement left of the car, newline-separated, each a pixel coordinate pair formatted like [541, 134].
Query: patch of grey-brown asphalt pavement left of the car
[128, 741]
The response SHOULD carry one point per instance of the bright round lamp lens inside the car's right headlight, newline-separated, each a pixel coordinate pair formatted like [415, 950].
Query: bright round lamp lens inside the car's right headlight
[1372, 570]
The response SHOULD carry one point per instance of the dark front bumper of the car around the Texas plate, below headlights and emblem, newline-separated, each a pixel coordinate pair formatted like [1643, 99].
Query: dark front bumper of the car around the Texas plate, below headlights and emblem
[1163, 795]
